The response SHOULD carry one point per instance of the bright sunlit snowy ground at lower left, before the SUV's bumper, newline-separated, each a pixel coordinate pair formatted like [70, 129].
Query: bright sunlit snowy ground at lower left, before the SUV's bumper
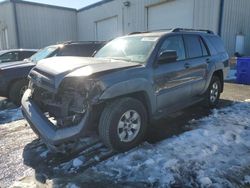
[13, 137]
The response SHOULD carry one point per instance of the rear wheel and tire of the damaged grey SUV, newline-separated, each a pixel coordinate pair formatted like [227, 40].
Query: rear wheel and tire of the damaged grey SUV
[213, 92]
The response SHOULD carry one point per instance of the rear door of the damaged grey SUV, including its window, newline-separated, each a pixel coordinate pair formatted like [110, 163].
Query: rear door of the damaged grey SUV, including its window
[199, 58]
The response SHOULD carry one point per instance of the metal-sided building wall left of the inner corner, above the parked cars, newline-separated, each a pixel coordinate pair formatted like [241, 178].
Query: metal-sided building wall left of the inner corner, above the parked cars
[33, 25]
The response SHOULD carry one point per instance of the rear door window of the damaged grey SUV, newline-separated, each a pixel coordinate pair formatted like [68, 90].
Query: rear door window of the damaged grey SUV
[193, 45]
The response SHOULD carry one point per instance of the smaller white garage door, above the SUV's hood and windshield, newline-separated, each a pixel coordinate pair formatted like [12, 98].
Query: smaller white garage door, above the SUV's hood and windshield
[107, 29]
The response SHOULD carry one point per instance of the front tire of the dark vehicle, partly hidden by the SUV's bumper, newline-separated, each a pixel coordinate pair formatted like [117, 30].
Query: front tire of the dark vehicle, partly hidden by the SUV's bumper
[17, 90]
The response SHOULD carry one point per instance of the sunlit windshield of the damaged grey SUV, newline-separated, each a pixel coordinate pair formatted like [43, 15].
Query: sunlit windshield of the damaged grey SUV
[130, 48]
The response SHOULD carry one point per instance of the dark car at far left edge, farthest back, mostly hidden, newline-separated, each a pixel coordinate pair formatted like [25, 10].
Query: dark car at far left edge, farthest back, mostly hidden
[14, 55]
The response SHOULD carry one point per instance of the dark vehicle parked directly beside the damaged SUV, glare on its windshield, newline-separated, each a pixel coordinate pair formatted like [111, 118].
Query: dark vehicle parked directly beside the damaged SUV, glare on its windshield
[13, 76]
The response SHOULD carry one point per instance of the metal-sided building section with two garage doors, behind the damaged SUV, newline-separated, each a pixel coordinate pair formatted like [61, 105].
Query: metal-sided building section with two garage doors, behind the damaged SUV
[228, 18]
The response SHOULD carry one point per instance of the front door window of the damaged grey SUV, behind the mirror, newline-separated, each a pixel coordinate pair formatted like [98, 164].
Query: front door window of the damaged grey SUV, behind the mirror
[174, 43]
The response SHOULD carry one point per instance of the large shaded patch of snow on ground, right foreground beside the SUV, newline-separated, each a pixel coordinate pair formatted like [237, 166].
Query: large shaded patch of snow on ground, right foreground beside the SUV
[216, 154]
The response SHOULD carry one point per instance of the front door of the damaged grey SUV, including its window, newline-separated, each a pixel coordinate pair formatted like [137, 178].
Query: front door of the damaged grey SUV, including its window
[171, 79]
